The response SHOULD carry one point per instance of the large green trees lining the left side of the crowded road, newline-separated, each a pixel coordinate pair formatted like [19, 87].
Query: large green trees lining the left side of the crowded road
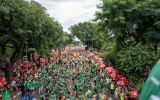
[25, 25]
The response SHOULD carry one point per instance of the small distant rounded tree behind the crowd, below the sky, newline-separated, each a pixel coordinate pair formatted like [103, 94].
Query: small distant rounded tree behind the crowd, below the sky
[87, 32]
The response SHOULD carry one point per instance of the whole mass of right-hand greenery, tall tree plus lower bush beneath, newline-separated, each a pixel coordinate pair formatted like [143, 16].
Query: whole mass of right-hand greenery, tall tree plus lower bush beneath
[132, 28]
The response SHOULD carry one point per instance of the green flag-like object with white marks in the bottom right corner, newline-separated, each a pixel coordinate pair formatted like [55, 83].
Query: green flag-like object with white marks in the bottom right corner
[151, 90]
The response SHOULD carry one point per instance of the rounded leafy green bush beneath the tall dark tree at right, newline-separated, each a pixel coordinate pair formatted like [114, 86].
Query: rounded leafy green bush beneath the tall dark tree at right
[135, 60]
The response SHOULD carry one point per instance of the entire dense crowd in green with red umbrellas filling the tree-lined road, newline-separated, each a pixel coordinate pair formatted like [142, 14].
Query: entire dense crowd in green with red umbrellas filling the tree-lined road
[72, 74]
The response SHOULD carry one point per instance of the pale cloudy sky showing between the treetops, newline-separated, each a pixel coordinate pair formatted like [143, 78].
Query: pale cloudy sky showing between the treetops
[70, 12]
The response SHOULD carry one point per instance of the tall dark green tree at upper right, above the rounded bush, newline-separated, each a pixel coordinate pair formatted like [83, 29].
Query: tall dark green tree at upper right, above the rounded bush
[131, 22]
